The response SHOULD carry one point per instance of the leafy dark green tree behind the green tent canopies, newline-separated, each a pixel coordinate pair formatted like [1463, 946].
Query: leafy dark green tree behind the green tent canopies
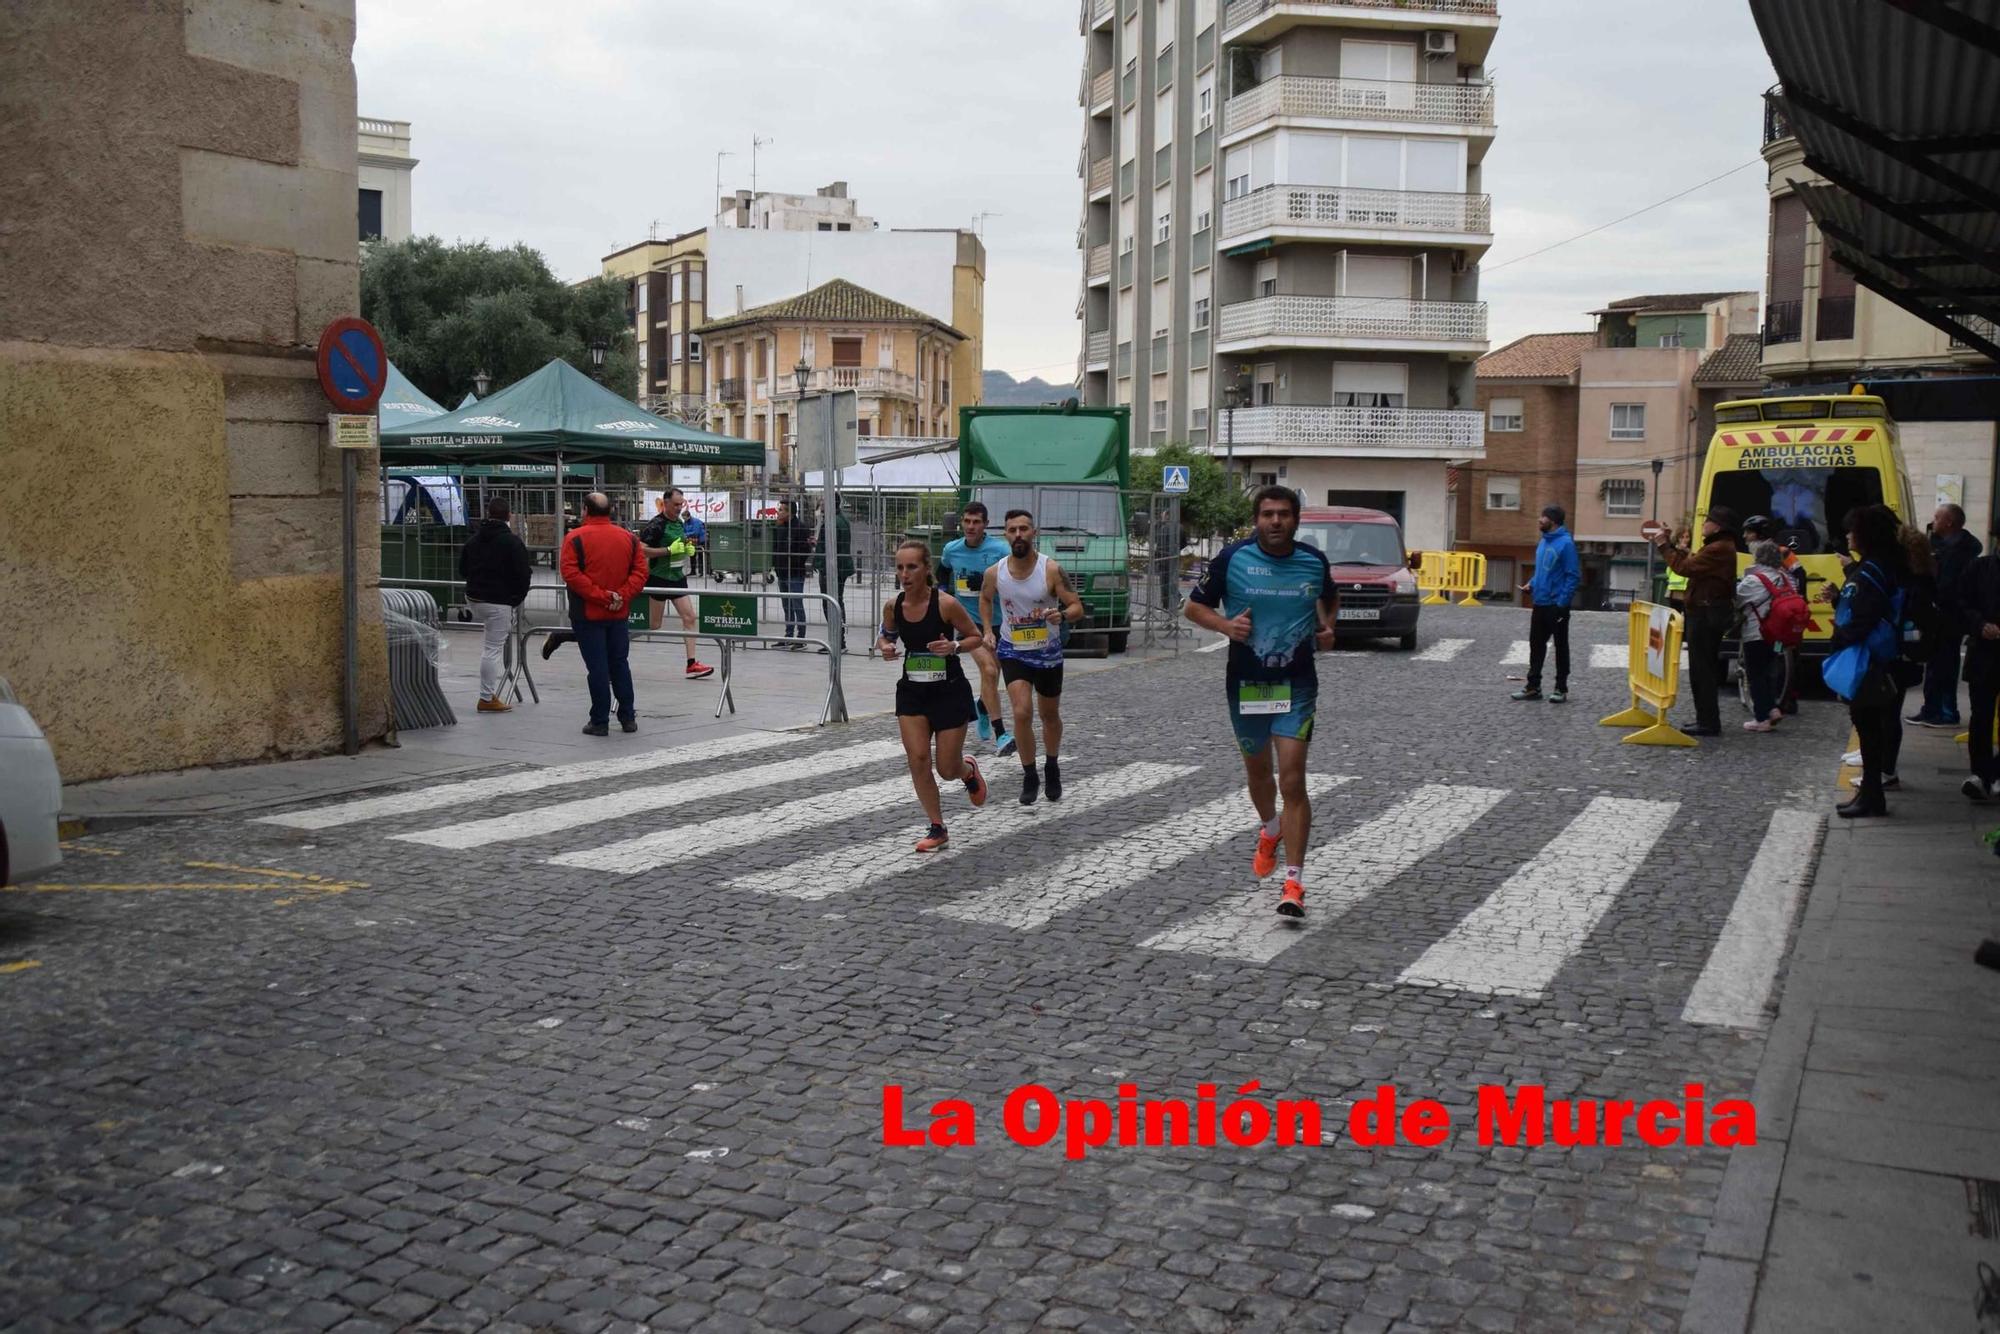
[451, 311]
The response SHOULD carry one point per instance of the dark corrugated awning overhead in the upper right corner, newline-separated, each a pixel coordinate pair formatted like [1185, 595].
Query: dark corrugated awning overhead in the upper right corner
[1897, 105]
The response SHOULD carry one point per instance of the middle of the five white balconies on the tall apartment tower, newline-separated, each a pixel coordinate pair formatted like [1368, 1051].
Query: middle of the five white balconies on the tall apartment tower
[1383, 217]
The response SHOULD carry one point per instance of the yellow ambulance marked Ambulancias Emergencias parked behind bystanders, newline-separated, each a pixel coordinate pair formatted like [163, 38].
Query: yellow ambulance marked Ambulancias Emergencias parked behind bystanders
[1805, 463]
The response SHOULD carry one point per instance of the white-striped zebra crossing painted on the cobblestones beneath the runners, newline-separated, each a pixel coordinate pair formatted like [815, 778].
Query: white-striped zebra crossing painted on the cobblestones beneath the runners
[1053, 861]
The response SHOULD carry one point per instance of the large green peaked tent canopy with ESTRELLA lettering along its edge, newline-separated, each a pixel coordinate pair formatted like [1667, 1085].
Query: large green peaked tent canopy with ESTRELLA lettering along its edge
[559, 409]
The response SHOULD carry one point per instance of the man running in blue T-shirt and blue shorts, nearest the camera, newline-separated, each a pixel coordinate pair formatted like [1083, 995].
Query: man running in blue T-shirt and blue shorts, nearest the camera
[1275, 599]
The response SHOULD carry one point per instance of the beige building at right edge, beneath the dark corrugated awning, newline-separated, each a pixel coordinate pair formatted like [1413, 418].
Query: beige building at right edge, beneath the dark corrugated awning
[1823, 329]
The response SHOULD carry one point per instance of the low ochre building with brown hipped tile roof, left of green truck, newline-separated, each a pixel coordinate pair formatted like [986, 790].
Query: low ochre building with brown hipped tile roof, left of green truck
[895, 357]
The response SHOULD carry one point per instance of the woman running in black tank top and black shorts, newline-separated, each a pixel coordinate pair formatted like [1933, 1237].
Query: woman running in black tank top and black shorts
[933, 699]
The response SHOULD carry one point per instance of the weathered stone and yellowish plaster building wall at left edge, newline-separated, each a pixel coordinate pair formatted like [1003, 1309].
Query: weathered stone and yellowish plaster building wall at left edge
[171, 525]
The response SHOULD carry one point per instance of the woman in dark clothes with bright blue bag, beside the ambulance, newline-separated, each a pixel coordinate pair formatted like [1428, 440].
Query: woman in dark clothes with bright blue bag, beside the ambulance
[1869, 621]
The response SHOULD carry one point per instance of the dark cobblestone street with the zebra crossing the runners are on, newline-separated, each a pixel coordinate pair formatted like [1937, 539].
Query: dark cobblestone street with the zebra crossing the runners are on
[603, 1047]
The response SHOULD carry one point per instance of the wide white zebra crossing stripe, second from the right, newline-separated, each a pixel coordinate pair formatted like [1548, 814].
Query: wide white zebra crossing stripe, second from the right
[1519, 939]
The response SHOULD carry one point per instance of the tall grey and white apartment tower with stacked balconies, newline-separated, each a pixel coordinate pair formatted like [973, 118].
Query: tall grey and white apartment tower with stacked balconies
[1283, 225]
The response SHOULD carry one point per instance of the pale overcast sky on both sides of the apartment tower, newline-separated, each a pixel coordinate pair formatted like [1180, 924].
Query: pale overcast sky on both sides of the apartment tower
[577, 127]
